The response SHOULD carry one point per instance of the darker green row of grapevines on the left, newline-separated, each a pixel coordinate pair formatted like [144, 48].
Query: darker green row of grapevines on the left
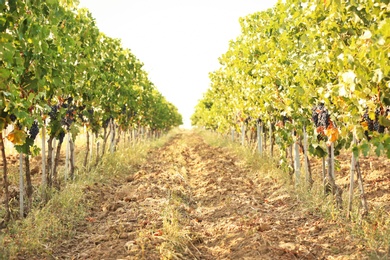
[59, 75]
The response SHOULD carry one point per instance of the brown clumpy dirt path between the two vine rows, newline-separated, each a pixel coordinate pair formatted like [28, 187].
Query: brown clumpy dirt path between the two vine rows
[194, 201]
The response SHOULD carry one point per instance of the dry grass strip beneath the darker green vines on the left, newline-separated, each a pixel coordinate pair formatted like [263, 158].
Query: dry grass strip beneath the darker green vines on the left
[58, 219]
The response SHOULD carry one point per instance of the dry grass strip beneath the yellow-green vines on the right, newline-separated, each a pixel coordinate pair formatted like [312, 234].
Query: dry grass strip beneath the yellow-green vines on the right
[373, 231]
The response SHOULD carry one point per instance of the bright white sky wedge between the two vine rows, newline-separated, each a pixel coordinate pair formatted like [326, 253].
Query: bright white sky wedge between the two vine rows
[178, 41]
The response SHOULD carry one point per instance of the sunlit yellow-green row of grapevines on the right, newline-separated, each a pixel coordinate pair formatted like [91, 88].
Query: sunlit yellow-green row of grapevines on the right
[314, 75]
